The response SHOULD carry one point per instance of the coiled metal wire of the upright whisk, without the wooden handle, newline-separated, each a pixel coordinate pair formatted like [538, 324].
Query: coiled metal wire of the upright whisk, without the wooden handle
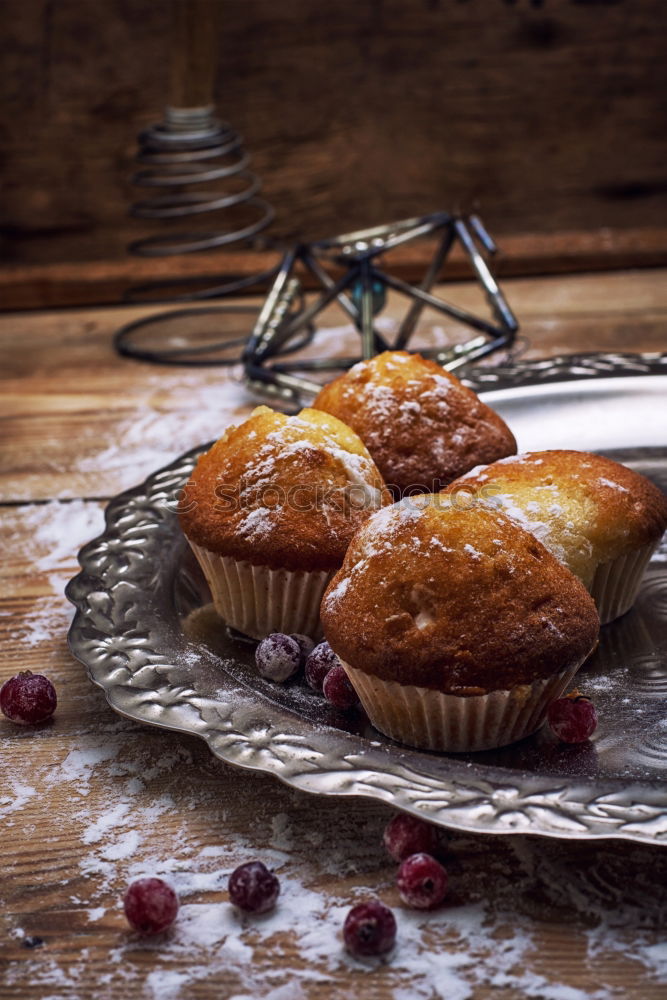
[177, 157]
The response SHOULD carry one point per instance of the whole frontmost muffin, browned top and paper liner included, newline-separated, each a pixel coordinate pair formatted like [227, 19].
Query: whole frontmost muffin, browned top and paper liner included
[457, 628]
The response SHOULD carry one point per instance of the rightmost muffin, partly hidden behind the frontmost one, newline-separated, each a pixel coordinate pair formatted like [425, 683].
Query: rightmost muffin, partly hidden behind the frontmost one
[601, 519]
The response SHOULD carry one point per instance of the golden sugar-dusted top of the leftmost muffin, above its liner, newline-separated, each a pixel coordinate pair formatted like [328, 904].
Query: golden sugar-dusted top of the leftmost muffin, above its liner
[284, 492]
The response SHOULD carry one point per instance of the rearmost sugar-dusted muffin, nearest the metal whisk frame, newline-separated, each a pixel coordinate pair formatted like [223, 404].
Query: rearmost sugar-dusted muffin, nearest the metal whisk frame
[422, 427]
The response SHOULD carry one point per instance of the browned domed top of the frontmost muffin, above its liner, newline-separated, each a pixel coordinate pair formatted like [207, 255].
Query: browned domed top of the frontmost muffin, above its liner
[460, 601]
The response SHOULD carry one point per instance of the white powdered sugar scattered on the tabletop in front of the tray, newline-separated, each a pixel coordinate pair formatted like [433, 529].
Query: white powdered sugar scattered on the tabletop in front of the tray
[485, 935]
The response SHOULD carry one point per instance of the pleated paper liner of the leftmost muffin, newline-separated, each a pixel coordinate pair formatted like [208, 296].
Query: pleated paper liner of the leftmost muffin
[257, 600]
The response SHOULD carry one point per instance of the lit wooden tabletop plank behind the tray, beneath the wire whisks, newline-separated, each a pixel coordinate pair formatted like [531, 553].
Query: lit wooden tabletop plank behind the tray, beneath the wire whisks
[80, 421]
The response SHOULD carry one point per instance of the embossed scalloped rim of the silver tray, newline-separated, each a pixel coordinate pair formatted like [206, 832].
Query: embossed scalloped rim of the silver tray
[140, 659]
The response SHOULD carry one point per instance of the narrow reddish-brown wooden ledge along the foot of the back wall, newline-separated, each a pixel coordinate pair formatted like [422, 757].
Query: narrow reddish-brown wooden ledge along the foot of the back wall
[91, 273]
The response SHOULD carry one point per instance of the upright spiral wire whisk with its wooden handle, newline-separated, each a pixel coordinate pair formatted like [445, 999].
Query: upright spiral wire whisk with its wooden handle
[199, 193]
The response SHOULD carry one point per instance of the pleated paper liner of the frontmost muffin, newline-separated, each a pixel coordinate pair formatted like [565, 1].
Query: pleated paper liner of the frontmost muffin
[431, 720]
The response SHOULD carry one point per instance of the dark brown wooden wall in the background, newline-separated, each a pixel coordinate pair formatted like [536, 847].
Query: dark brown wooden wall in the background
[550, 117]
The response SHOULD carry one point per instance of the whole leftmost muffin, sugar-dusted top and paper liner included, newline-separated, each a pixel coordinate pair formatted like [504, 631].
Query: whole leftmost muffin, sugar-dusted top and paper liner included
[269, 512]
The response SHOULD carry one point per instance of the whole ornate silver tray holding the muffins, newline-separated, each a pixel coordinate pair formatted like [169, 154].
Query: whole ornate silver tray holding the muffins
[146, 635]
